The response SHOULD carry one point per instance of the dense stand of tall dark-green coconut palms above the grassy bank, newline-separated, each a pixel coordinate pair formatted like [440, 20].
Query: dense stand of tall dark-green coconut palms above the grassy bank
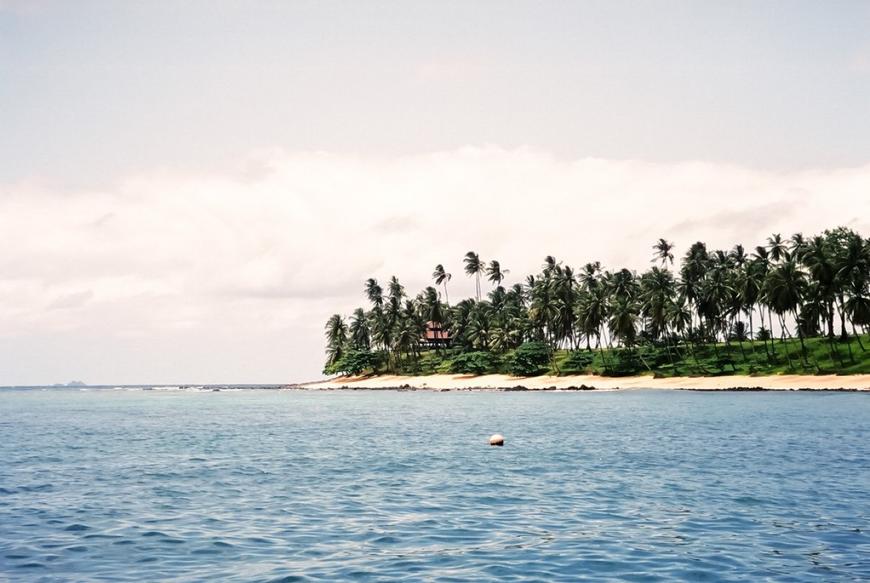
[797, 287]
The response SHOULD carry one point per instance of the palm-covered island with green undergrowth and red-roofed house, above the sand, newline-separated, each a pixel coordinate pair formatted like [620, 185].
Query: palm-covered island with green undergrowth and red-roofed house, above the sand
[792, 306]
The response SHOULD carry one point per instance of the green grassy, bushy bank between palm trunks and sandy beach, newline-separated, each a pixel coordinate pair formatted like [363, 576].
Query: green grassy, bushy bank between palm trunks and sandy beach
[750, 358]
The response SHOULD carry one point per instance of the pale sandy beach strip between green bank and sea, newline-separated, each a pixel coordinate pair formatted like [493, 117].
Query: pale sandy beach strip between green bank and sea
[499, 382]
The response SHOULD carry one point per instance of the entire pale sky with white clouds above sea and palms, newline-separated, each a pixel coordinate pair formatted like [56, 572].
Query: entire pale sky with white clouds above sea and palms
[189, 189]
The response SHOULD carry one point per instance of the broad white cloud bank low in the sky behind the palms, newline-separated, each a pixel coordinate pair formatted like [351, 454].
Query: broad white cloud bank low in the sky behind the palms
[243, 265]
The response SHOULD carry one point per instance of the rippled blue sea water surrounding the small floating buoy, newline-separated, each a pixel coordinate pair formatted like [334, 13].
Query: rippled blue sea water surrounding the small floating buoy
[256, 485]
